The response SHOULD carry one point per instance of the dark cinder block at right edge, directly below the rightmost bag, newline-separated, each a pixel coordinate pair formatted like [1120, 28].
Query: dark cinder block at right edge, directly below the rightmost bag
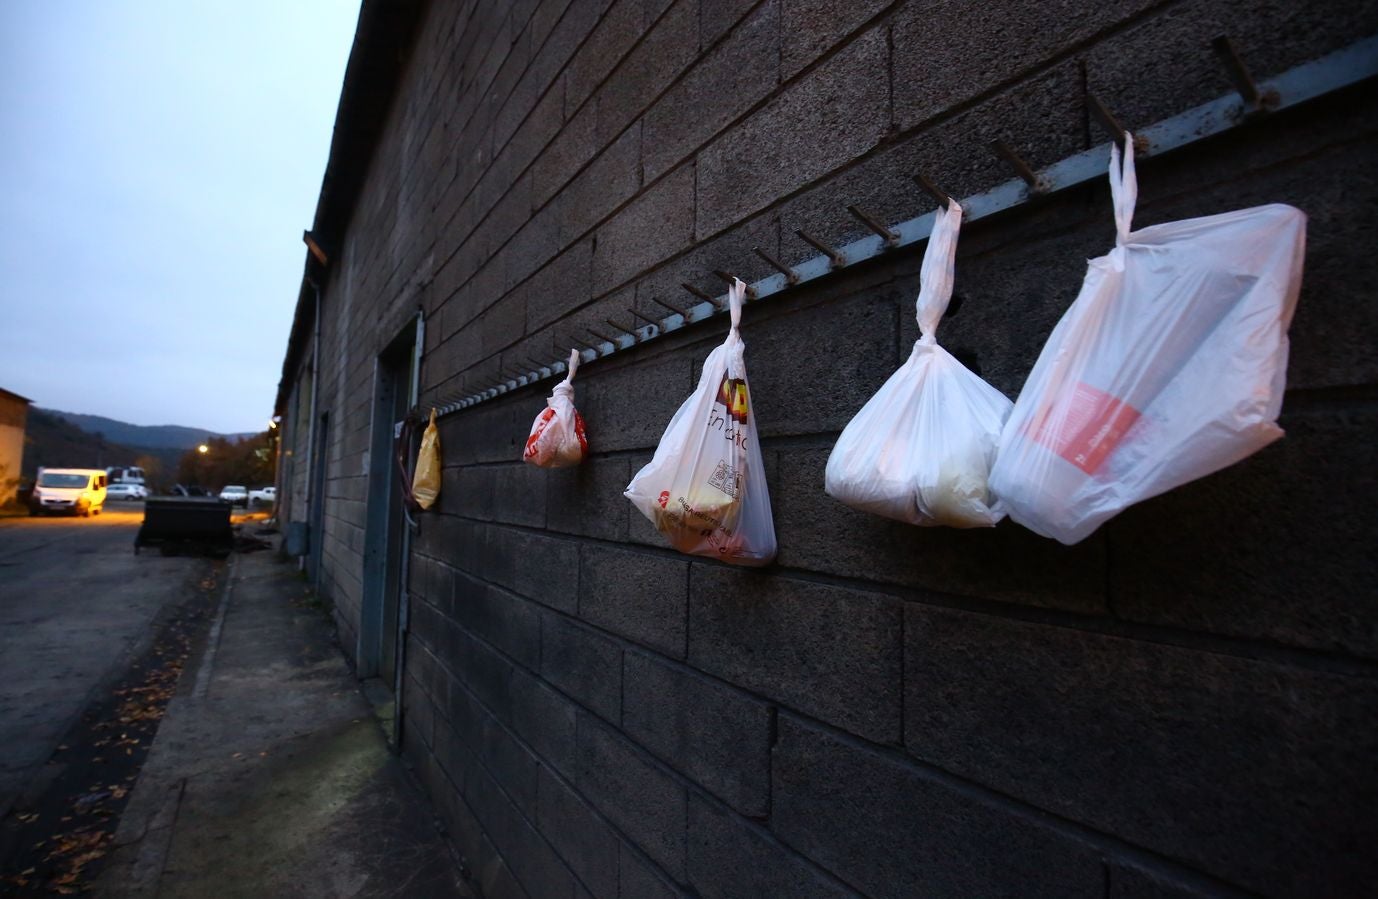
[1267, 549]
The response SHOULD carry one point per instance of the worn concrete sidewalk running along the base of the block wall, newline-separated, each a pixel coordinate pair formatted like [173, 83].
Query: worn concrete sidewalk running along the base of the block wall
[271, 777]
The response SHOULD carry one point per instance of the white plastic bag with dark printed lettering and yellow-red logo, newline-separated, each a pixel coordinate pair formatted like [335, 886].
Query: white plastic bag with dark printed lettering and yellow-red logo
[706, 486]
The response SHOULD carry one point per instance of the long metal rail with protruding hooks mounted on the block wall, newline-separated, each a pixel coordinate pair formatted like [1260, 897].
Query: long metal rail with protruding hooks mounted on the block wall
[1307, 82]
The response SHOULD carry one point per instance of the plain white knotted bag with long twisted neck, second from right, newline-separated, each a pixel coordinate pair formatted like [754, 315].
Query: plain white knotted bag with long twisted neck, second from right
[921, 449]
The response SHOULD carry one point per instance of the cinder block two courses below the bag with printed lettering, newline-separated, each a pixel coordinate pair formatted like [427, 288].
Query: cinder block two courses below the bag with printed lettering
[713, 734]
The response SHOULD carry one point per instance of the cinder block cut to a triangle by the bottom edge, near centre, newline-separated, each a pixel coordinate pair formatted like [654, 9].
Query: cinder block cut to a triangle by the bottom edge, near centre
[732, 858]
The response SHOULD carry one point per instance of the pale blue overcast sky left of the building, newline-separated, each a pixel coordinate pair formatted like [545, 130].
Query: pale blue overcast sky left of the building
[159, 161]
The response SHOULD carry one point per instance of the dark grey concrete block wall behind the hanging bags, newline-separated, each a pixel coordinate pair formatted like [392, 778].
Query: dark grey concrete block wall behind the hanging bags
[1182, 705]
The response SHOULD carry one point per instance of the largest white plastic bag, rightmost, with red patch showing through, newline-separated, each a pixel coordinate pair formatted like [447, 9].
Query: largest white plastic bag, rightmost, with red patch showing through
[1169, 366]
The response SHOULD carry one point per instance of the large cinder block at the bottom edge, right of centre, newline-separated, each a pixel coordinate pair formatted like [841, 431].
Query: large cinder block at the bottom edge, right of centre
[894, 831]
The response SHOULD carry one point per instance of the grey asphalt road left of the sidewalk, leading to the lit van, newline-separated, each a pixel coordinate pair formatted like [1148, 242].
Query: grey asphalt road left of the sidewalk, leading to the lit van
[76, 607]
